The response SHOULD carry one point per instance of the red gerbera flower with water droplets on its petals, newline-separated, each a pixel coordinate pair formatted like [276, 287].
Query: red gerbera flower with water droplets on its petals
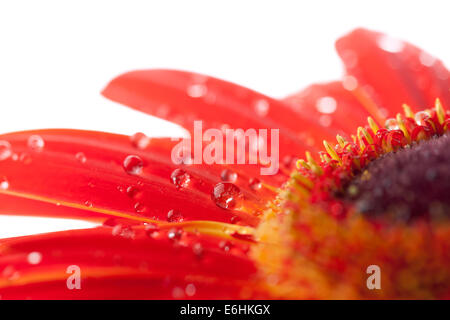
[377, 198]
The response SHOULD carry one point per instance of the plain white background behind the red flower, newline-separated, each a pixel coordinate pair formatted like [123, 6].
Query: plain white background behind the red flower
[56, 56]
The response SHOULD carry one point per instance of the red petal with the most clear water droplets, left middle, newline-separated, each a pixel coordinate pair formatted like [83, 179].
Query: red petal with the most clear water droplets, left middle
[97, 187]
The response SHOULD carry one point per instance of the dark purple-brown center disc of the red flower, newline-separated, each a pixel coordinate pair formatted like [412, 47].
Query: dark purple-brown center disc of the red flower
[407, 184]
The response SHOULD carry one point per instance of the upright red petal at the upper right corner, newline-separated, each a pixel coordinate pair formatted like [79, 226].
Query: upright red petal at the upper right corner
[394, 72]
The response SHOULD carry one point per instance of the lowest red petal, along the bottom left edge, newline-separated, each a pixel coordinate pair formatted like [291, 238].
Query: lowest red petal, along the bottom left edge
[124, 266]
